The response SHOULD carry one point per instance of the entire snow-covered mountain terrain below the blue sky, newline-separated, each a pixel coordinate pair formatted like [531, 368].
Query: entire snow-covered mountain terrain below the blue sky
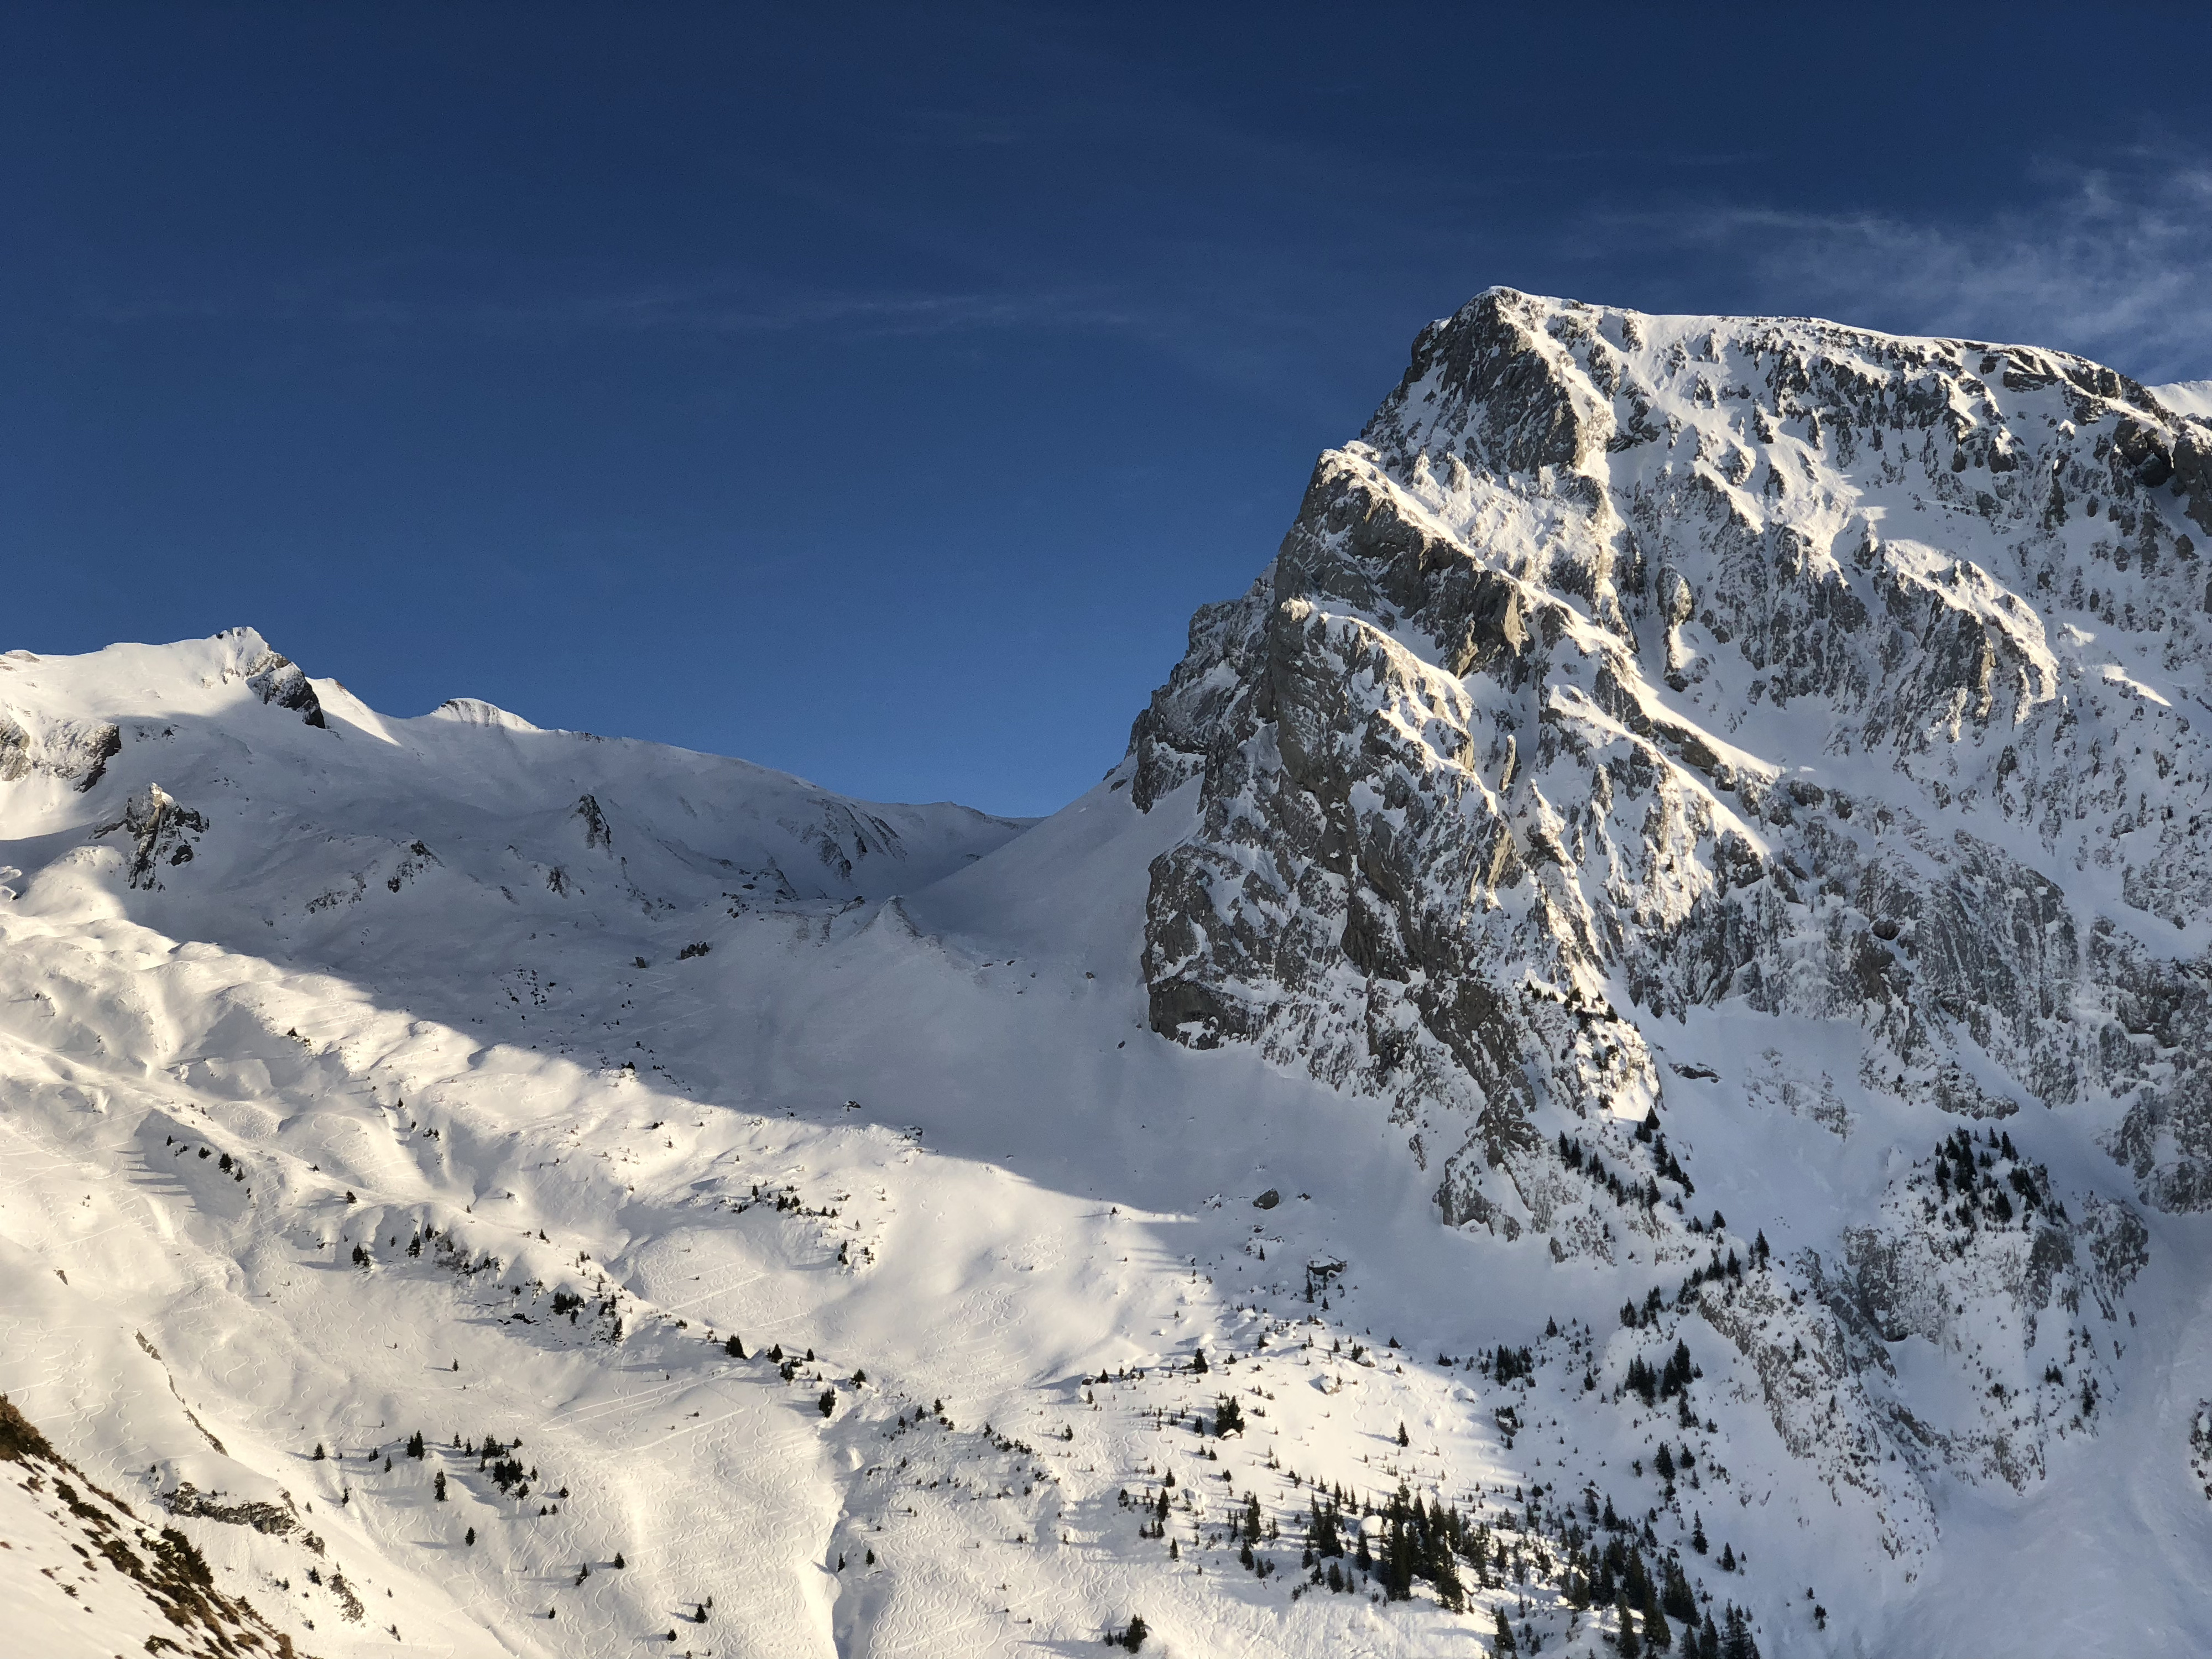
[1620, 1070]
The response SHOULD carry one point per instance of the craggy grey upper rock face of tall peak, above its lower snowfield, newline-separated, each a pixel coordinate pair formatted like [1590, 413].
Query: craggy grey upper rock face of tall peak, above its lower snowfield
[1629, 665]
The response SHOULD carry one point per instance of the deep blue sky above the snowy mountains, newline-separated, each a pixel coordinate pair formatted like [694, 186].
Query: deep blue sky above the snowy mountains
[875, 393]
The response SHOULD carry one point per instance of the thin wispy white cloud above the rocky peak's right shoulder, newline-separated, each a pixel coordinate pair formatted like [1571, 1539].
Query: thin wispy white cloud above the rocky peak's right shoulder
[2114, 264]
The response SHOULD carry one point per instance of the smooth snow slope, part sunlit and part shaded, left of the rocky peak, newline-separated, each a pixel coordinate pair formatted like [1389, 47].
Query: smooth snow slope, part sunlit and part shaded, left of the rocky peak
[901, 1136]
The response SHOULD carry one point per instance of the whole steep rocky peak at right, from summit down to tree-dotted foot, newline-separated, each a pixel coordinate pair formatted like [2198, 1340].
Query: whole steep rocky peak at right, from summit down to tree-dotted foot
[1665, 727]
